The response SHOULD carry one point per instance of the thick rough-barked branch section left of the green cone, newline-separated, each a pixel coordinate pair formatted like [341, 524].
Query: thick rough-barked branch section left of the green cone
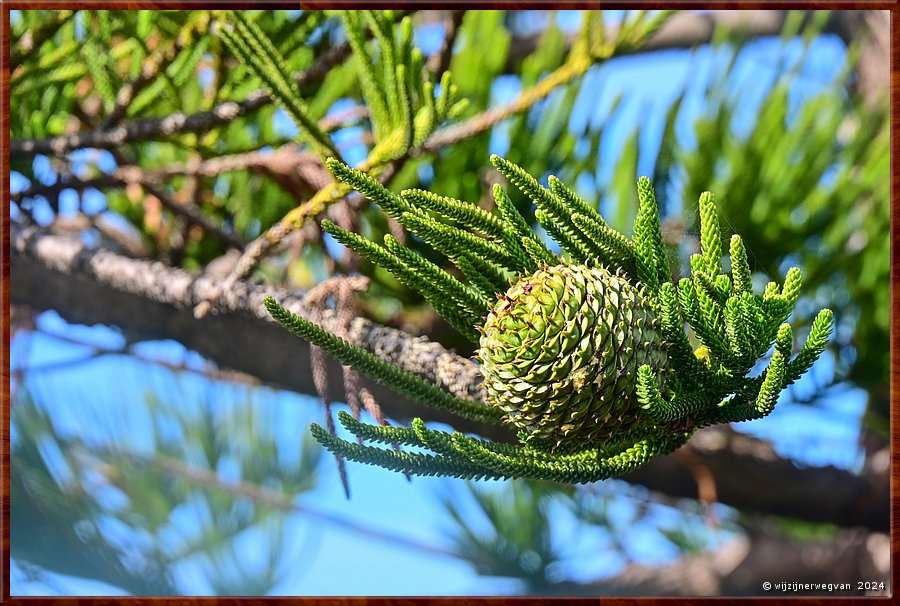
[152, 301]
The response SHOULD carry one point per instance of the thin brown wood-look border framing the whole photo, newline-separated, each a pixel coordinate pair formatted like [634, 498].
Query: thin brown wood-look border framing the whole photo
[7, 6]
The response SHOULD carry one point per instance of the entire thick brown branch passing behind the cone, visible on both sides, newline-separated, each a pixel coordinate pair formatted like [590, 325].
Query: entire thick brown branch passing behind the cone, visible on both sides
[152, 301]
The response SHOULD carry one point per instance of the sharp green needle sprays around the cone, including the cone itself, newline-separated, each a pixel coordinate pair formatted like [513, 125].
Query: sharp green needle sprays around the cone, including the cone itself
[612, 363]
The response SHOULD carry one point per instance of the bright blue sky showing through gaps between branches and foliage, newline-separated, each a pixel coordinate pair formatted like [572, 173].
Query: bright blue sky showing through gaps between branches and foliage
[332, 560]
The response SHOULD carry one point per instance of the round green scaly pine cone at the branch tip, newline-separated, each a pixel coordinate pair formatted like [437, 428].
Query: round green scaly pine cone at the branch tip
[560, 351]
